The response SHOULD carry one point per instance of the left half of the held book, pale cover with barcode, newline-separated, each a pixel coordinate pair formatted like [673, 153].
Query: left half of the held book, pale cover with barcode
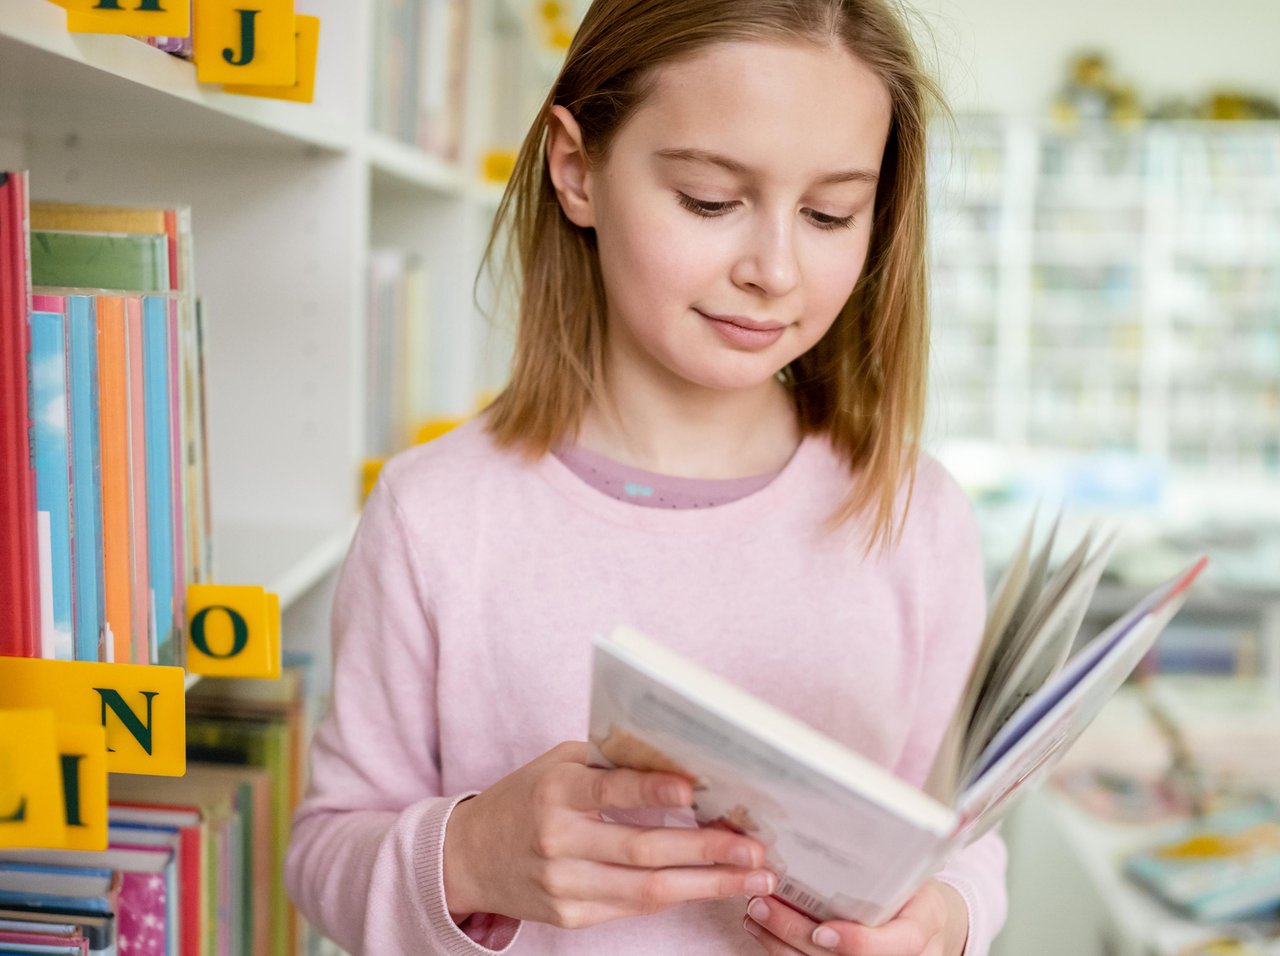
[849, 839]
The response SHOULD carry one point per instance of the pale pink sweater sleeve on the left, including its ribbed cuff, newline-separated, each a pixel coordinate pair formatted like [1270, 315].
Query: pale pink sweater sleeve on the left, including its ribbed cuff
[365, 862]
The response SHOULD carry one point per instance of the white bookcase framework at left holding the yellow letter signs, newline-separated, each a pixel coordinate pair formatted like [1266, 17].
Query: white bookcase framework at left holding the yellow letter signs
[287, 203]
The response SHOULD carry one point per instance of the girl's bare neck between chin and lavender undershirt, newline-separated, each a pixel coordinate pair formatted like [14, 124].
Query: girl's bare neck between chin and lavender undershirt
[698, 434]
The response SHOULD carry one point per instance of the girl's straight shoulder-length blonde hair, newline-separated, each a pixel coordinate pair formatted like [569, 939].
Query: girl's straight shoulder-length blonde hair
[863, 385]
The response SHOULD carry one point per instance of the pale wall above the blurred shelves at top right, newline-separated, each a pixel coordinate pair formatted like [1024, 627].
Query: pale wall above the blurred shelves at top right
[1009, 57]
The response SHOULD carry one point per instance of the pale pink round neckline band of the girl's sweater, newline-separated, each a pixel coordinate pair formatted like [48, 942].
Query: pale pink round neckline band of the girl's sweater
[785, 483]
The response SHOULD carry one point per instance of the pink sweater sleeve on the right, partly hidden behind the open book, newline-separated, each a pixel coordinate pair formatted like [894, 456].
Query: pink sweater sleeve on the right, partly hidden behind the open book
[953, 616]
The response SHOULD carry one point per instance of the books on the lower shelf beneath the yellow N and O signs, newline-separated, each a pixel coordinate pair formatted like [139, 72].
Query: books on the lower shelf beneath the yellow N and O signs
[195, 863]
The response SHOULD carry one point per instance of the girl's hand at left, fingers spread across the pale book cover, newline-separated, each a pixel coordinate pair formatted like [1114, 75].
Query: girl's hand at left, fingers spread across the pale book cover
[534, 847]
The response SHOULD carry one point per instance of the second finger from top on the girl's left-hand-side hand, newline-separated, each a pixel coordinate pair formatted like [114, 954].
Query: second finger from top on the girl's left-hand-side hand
[652, 848]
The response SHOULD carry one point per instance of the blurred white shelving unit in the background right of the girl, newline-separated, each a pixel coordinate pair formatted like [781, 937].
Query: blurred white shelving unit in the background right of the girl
[1112, 290]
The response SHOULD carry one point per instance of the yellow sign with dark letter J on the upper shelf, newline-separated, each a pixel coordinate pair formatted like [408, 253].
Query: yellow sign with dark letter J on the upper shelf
[245, 42]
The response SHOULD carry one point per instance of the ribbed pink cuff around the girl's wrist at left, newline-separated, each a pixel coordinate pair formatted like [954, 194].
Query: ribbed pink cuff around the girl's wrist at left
[486, 932]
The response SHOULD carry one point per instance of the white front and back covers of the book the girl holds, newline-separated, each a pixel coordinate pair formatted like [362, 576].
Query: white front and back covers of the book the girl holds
[848, 839]
